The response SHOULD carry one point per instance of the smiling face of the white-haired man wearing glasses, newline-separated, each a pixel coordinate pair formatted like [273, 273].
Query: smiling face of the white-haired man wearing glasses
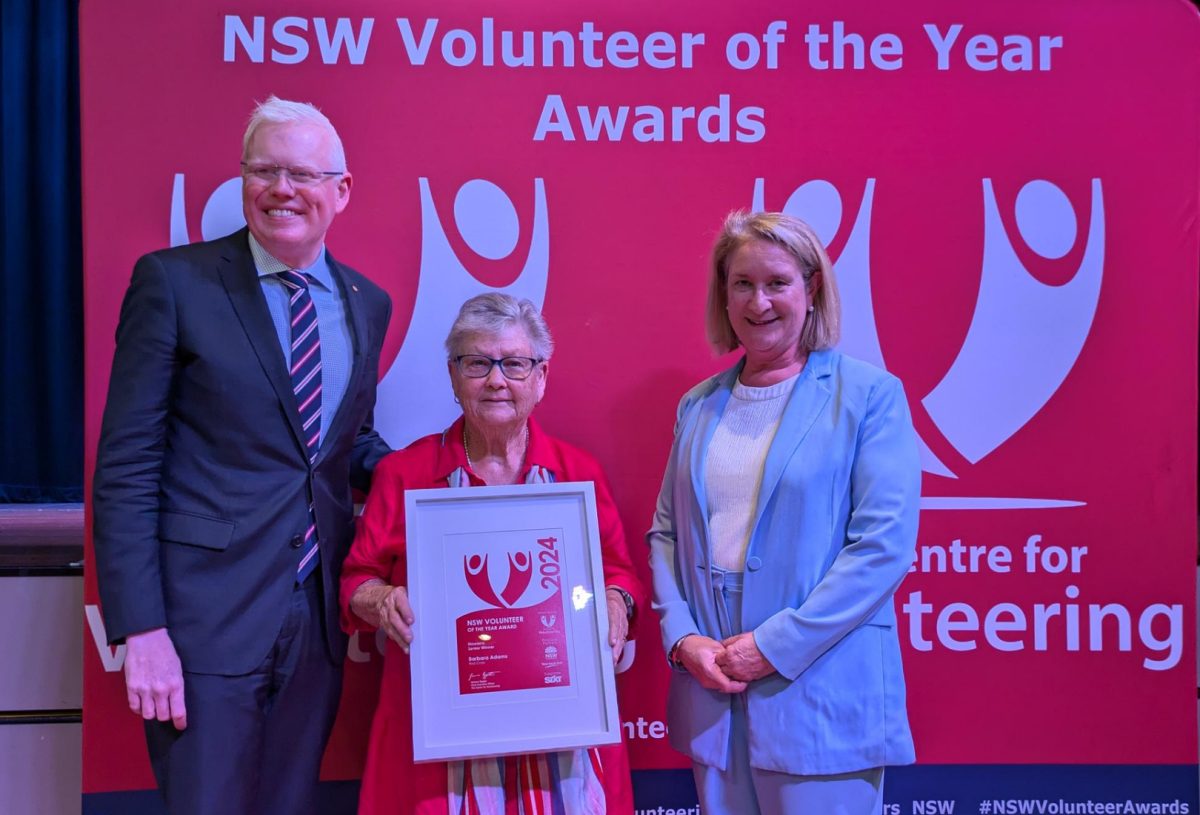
[291, 221]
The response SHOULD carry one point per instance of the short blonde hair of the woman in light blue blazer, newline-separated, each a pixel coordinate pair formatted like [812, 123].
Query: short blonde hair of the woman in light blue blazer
[823, 328]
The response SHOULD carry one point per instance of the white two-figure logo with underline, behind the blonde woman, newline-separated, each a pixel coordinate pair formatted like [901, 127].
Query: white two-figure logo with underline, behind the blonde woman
[1024, 337]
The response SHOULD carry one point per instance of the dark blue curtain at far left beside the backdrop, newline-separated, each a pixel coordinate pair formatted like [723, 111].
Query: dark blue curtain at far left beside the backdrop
[41, 304]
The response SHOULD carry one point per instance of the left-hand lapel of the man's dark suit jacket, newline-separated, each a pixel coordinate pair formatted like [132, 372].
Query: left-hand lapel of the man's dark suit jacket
[245, 292]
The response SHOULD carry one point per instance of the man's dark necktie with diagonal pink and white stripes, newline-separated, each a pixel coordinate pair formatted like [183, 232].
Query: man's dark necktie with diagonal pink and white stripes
[307, 386]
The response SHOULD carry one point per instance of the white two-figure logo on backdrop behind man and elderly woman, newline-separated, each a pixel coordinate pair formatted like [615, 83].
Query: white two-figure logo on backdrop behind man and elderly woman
[415, 397]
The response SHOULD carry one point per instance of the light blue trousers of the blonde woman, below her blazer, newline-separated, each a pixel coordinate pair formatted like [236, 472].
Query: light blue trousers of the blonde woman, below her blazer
[746, 790]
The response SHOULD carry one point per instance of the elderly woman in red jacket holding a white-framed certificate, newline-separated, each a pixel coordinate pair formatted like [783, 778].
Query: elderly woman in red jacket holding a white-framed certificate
[500, 351]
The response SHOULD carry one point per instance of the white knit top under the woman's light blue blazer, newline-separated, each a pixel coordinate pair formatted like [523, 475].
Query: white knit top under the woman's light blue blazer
[735, 464]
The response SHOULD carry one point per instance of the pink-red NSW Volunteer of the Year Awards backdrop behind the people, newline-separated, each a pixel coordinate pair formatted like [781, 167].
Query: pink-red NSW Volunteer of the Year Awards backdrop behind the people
[1019, 247]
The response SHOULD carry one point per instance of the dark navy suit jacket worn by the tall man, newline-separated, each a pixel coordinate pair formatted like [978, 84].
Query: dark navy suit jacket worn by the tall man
[202, 482]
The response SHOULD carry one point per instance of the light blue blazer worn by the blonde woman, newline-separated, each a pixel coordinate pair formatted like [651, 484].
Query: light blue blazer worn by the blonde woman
[835, 534]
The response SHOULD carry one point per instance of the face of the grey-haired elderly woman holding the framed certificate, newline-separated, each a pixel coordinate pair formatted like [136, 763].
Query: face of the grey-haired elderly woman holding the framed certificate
[495, 404]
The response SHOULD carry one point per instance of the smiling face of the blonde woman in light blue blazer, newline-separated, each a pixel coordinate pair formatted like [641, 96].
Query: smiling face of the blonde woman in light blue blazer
[769, 302]
